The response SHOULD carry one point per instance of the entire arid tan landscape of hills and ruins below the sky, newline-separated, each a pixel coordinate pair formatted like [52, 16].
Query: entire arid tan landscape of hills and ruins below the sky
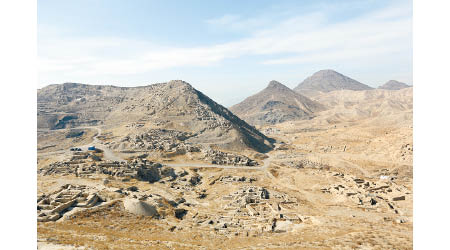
[165, 167]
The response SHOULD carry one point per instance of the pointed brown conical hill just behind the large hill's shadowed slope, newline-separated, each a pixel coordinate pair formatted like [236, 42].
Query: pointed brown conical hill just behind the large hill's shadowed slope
[275, 104]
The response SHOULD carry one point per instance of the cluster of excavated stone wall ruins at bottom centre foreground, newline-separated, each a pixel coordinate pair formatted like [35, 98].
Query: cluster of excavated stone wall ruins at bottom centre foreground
[253, 209]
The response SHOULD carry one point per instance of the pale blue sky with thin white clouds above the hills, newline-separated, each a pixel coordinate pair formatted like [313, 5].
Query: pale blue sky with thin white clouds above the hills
[229, 50]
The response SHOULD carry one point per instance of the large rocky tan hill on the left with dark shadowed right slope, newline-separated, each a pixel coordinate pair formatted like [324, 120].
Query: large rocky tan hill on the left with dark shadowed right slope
[174, 105]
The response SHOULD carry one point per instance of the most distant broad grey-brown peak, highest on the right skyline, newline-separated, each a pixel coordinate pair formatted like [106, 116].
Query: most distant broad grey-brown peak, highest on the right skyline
[329, 80]
